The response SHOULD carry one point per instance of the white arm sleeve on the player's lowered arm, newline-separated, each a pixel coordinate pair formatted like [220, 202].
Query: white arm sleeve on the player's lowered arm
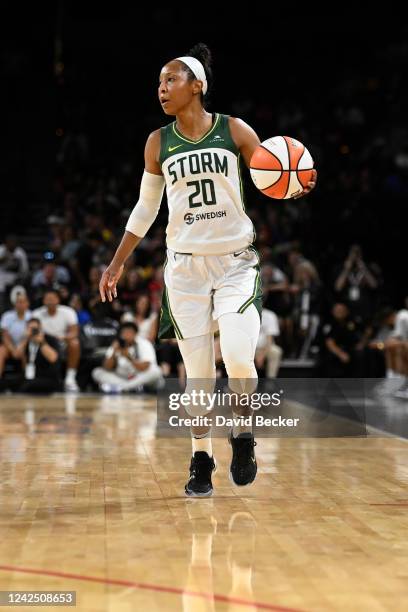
[147, 207]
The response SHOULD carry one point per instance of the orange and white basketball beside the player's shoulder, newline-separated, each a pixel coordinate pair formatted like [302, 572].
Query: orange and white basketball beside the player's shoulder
[281, 167]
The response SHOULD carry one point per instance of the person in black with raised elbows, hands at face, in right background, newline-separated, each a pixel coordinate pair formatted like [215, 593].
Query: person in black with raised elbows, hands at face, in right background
[356, 284]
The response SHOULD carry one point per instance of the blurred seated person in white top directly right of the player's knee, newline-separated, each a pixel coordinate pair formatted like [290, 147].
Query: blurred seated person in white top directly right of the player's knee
[268, 354]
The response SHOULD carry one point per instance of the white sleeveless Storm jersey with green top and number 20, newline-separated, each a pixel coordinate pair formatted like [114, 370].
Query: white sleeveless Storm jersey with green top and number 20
[204, 192]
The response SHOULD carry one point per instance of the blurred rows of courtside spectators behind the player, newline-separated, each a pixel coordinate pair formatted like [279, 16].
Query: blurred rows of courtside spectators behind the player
[56, 332]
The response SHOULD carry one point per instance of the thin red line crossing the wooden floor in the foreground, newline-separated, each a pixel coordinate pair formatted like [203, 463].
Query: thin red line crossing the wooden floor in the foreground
[149, 587]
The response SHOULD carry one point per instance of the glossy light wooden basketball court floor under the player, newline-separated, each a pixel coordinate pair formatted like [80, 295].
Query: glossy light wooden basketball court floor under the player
[92, 501]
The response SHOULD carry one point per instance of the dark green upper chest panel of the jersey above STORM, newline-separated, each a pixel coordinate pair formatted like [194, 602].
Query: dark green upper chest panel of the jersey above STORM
[172, 142]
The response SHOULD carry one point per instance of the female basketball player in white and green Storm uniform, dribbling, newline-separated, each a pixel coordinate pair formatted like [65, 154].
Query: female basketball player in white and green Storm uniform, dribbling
[212, 270]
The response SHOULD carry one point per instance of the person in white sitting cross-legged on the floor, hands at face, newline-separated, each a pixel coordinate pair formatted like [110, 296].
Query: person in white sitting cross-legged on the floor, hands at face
[130, 364]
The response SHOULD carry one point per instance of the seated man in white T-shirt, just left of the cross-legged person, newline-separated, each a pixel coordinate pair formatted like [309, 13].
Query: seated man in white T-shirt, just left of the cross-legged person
[61, 322]
